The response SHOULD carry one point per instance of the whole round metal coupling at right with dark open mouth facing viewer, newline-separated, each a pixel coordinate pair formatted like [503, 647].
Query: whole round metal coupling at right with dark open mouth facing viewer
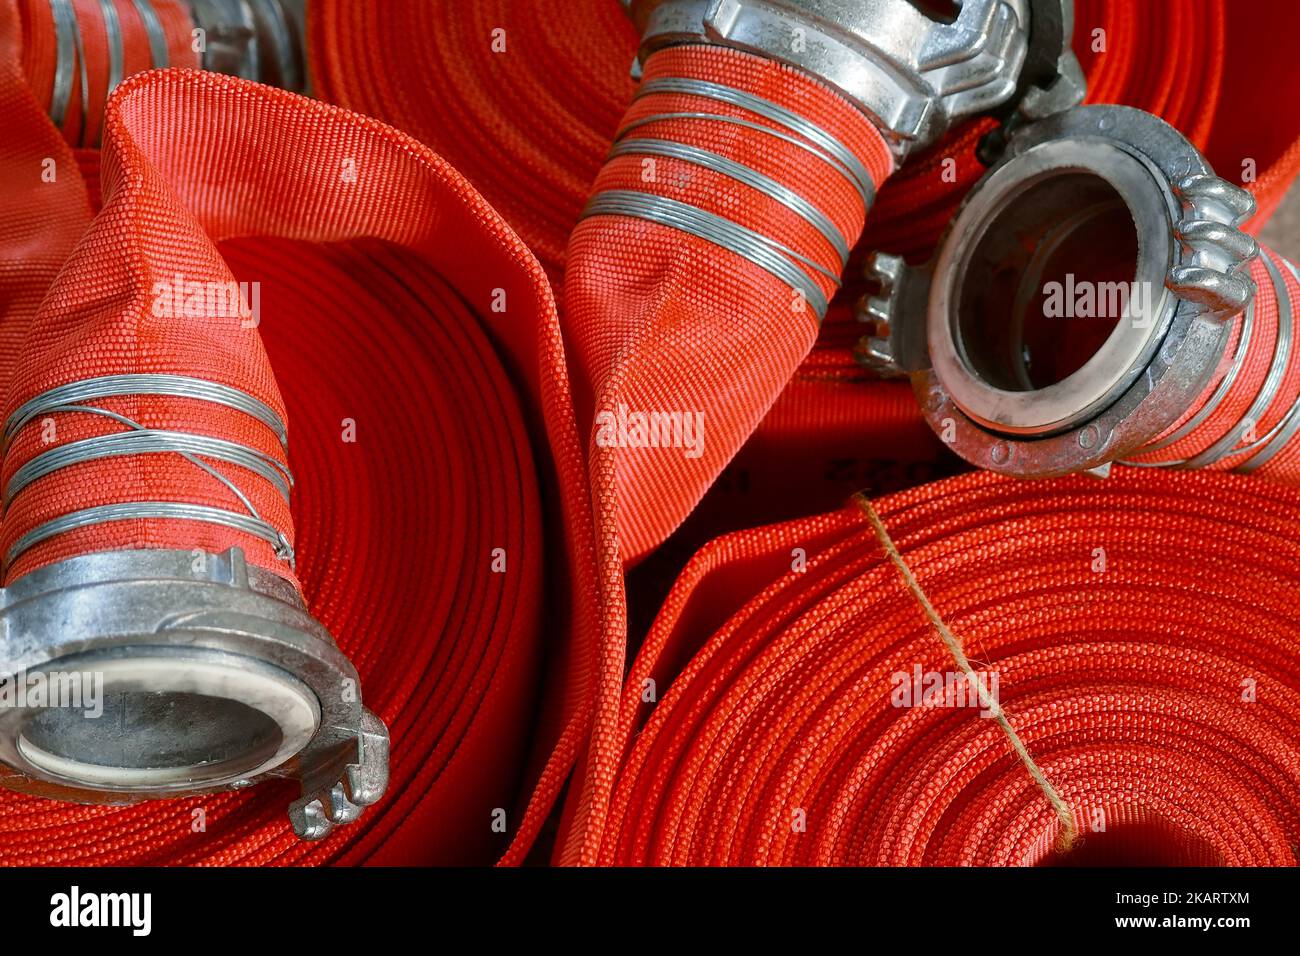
[1081, 306]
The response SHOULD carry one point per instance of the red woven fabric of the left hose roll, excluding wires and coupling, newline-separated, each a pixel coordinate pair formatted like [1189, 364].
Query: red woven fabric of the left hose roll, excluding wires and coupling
[379, 327]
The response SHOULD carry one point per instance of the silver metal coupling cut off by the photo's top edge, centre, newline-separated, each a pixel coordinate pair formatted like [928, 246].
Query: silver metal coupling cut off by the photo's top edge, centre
[915, 76]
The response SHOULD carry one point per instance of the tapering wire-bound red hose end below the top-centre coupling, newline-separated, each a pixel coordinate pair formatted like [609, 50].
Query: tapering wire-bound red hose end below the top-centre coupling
[723, 219]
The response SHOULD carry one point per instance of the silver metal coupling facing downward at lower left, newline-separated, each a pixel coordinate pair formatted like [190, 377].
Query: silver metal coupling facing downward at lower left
[145, 674]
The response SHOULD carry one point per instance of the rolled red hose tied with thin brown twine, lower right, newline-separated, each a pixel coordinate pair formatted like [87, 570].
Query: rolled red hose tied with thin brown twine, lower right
[795, 706]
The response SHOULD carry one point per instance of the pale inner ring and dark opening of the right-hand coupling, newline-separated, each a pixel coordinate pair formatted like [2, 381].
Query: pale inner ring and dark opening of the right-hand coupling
[1050, 293]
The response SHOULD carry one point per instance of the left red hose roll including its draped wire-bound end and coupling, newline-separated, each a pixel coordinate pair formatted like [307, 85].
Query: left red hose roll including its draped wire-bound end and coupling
[448, 641]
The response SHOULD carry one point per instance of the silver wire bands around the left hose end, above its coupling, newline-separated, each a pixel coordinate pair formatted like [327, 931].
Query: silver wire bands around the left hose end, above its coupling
[72, 397]
